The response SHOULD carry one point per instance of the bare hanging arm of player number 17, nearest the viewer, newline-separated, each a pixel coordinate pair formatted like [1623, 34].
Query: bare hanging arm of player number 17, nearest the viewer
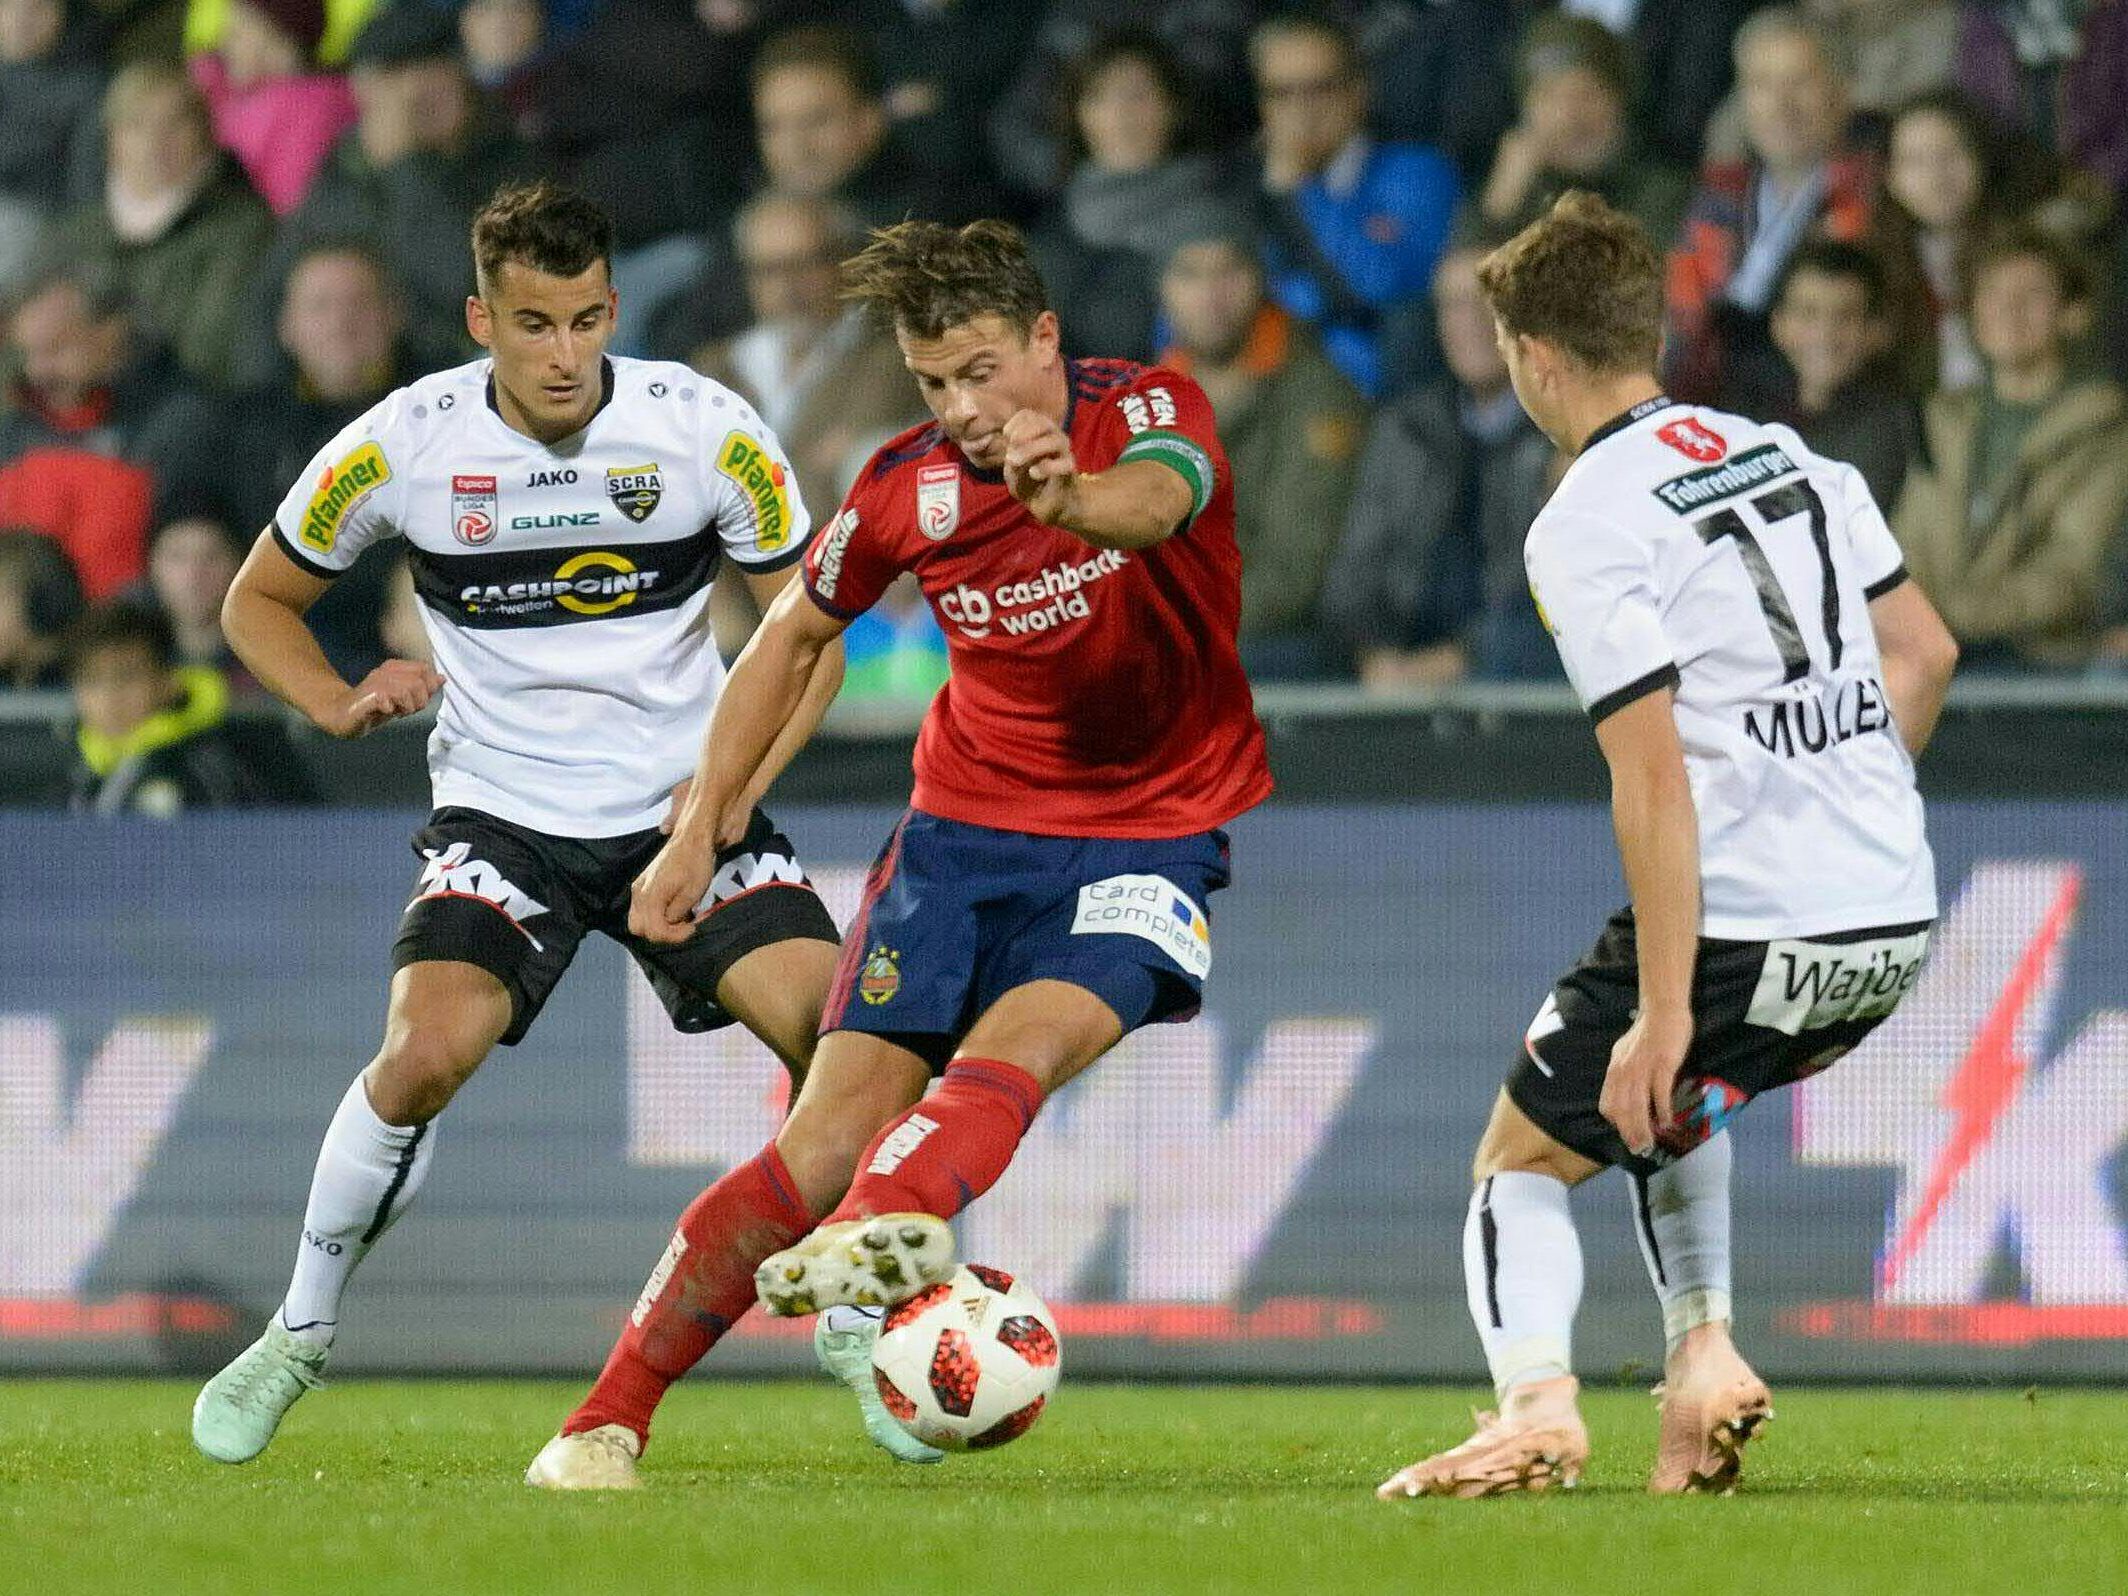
[1659, 842]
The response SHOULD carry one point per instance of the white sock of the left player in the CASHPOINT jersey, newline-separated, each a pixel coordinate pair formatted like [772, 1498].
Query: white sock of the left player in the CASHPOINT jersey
[367, 1176]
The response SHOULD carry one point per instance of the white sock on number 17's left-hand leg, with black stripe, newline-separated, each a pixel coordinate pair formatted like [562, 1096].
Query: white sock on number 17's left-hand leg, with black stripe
[1523, 1267]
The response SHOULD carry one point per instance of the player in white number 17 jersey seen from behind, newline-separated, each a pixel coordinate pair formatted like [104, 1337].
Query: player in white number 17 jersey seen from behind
[1761, 674]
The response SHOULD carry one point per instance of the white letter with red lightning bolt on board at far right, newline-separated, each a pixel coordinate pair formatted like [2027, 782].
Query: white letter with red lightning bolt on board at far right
[2001, 1152]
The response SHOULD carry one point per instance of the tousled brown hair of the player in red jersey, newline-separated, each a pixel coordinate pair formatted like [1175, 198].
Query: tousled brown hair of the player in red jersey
[927, 278]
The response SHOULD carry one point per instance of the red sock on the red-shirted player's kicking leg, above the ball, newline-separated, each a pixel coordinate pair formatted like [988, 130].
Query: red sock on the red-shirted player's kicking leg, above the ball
[948, 1150]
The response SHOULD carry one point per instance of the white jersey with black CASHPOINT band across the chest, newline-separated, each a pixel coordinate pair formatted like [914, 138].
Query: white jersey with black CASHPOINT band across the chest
[563, 588]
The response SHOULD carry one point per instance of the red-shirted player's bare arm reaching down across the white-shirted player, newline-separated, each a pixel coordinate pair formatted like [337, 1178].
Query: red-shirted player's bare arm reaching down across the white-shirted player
[769, 686]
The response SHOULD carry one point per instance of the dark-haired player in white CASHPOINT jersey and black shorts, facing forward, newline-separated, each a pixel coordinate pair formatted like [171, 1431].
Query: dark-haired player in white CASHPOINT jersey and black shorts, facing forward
[565, 516]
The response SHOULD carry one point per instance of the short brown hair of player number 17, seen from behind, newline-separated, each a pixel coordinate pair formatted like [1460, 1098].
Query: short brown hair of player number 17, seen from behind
[1586, 280]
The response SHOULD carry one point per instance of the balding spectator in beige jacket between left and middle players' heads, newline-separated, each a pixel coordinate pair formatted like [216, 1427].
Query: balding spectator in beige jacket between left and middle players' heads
[825, 378]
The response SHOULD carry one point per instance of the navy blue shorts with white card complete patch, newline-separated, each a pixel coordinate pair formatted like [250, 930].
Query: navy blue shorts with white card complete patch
[957, 916]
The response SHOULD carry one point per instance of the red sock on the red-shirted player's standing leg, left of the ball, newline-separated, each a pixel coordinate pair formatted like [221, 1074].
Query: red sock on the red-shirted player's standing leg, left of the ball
[699, 1291]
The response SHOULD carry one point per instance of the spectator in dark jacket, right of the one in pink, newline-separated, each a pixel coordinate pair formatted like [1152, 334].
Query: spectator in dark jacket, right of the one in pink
[408, 178]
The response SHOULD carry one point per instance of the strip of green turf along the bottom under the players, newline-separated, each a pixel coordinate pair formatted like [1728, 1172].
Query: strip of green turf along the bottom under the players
[386, 1489]
